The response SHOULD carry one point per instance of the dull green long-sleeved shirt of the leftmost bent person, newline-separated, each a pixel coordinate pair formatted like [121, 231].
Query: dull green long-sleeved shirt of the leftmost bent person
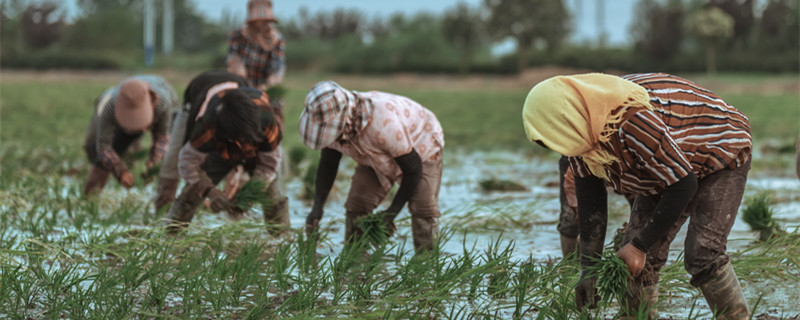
[107, 122]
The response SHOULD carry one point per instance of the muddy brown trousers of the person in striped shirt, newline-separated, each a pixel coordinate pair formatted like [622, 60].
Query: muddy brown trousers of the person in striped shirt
[711, 214]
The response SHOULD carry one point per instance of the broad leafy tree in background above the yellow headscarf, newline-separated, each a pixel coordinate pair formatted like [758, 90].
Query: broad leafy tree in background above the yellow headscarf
[528, 21]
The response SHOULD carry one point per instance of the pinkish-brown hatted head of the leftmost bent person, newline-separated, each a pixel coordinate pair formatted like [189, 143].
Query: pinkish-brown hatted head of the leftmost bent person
[134, 105]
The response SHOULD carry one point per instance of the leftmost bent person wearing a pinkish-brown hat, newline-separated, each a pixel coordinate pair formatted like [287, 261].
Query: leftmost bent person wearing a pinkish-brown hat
[121, 115]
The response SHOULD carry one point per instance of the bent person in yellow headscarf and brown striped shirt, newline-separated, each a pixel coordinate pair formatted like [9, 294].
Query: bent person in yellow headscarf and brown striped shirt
[679, 148]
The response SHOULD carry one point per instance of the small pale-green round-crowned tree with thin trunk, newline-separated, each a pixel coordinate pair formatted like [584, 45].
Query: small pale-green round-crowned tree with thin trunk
[711, 26]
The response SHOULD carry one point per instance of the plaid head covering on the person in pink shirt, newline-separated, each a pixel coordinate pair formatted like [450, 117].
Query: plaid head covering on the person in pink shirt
[332, 112]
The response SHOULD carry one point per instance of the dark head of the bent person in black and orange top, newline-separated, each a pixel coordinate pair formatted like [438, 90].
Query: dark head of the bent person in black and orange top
[238, 123]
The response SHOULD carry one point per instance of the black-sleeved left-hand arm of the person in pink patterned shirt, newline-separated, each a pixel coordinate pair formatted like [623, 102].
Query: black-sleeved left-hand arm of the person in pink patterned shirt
[326, 174]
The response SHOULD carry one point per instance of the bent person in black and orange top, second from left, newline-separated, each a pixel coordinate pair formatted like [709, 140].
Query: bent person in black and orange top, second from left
[223, 124]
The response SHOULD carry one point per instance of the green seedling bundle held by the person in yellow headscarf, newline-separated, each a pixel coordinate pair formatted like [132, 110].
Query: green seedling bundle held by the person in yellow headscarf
[612, 276]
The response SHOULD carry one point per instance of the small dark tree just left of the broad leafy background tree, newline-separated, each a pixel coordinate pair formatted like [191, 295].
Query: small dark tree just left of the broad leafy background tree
[464, 28]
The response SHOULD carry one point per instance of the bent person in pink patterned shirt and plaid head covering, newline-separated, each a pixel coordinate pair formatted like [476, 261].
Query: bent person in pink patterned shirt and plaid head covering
[392, 139]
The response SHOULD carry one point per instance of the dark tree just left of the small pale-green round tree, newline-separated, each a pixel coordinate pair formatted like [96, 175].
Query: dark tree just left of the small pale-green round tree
[656, 29]
